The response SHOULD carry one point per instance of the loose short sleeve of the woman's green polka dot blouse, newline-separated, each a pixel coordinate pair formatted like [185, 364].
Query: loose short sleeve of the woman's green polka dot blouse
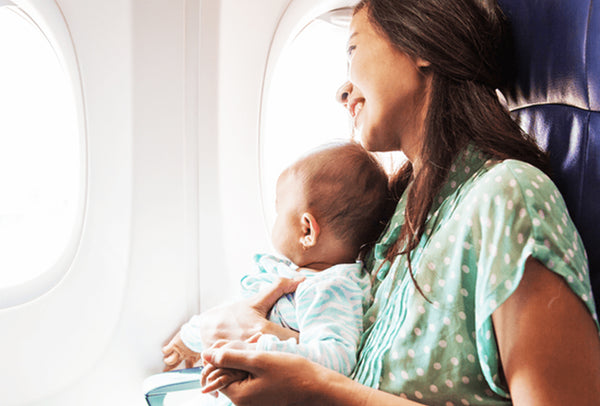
[520, 214]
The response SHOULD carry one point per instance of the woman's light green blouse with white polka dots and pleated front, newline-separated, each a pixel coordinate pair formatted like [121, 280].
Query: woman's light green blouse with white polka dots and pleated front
[487, 220]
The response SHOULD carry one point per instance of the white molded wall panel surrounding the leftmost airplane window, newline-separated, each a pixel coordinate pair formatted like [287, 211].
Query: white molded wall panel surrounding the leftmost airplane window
[51, 341]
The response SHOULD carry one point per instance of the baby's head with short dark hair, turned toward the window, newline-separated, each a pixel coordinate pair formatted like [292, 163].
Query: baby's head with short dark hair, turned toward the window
[331, 203]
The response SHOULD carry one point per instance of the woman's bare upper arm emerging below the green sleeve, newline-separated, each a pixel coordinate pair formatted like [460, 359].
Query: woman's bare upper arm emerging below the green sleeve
[549, 345]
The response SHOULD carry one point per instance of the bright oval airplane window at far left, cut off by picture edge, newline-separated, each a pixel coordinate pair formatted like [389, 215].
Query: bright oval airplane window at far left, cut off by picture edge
[40, 152]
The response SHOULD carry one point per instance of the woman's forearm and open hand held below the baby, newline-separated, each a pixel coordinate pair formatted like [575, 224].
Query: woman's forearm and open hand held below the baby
[287, 379]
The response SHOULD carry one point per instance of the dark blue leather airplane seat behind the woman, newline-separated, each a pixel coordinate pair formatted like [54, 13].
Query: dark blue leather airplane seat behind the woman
[555, 95]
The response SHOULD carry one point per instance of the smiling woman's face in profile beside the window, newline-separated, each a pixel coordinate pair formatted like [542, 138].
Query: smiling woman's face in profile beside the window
[387, 91]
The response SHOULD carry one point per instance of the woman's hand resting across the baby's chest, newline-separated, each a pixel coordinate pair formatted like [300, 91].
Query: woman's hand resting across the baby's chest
[243, 319]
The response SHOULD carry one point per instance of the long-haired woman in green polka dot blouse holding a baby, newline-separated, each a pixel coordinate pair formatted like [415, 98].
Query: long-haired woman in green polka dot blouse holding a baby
[482, 294]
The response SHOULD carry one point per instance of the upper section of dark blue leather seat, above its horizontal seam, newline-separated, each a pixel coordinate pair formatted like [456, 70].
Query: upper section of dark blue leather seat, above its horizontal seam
[557, 52]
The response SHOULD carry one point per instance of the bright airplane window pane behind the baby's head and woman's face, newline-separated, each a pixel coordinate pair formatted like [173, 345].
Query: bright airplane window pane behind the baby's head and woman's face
[301, 110]
